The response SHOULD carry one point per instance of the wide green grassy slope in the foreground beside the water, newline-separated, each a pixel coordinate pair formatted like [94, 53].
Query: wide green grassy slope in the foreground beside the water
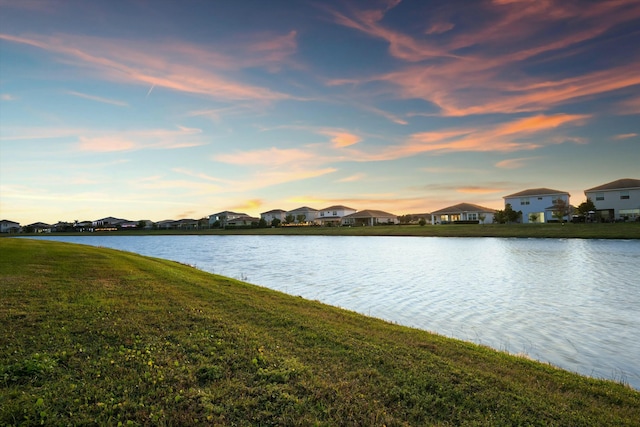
[96, 336]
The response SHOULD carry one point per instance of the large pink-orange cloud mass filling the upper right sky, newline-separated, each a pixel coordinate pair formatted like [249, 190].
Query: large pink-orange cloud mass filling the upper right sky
[492, 75]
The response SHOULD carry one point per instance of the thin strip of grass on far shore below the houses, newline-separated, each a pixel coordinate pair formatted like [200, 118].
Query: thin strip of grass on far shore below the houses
[629, 230]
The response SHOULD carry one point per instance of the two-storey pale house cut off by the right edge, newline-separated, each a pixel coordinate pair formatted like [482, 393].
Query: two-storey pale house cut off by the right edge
[616, 200]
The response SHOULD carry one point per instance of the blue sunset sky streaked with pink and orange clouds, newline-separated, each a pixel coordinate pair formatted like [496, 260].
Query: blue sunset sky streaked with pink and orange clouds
[152, 109]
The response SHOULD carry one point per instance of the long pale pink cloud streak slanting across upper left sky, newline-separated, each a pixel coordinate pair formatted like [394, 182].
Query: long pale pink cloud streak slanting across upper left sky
[173, 66]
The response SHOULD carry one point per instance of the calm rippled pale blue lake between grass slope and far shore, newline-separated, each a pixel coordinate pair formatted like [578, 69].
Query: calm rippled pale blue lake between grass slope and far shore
[571, 302]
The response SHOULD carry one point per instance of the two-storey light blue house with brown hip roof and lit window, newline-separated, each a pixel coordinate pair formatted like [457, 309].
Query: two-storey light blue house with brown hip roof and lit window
[537, 204]
